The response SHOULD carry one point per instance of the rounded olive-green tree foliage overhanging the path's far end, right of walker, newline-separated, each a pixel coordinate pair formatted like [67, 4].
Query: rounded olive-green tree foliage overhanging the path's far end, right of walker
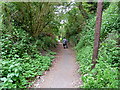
[74, 24]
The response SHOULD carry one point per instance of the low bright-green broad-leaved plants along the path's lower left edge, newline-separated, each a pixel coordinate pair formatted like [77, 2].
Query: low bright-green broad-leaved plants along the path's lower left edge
[17, 72]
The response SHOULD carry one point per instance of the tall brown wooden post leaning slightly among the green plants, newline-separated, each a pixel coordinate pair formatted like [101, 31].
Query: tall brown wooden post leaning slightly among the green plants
[97, 32]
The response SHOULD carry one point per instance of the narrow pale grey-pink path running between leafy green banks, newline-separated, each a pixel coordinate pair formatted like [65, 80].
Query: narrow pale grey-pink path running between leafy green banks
[63, 73]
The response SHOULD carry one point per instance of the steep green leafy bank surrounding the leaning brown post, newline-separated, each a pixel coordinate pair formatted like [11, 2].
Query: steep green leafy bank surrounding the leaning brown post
[105, 73]
